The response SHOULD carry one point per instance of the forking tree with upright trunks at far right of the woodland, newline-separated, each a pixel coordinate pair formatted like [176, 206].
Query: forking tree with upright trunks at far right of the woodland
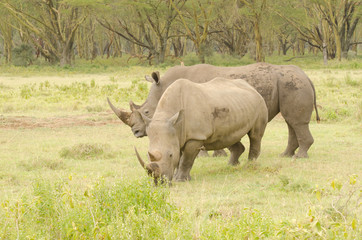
[325, 24]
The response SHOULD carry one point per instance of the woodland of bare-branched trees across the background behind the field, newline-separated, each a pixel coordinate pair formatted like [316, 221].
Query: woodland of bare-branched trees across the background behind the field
[157, 31]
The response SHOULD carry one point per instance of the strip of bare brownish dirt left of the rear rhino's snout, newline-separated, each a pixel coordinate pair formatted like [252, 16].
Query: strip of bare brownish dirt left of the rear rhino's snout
[96, 119]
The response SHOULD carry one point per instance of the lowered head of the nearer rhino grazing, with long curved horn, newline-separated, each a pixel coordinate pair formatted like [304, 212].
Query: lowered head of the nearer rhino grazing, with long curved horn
[164, 149]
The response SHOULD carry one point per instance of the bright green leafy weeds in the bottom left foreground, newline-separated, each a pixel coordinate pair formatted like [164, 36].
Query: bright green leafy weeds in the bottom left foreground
[125, 210]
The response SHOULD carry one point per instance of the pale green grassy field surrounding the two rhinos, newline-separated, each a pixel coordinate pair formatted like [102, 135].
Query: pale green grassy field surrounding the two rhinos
[68, 168]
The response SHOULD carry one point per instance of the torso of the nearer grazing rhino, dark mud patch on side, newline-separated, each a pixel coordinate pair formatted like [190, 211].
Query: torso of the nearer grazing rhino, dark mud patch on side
[214, 110]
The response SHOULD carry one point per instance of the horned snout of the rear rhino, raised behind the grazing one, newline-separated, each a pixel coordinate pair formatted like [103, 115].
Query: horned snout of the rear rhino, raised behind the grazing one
[132, 119]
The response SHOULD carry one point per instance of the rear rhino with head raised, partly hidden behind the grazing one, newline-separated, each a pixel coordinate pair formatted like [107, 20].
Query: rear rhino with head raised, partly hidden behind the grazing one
[285, 89]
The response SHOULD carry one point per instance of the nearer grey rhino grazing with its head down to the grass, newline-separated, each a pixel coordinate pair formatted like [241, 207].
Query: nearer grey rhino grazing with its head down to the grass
[211, 116]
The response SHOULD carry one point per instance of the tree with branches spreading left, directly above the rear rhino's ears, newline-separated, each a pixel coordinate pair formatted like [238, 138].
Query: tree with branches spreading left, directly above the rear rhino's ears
[146, 24]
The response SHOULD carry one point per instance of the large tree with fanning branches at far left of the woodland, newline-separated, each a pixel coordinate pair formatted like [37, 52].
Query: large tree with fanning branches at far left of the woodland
[51, 22]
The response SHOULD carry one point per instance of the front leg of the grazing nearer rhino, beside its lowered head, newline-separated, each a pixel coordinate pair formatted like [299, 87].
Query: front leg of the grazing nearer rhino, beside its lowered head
[187, 159]
